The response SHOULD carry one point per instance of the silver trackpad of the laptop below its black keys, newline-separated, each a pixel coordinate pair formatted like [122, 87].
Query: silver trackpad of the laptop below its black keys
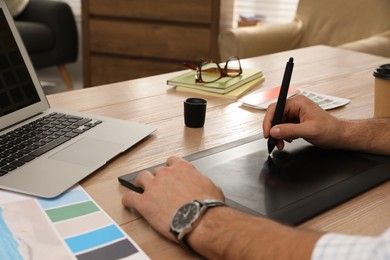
[88, 152]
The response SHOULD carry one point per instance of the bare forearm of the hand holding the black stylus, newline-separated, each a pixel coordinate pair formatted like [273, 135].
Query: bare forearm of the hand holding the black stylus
[370, 135]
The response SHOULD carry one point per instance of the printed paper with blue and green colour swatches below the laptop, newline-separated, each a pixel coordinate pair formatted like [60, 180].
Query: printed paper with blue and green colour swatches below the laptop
[71, 226]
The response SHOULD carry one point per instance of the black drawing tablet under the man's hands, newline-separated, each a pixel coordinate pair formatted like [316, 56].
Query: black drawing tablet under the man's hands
[295, 184]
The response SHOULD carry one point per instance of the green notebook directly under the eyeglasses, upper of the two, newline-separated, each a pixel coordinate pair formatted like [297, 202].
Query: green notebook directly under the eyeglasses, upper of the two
[222, 86]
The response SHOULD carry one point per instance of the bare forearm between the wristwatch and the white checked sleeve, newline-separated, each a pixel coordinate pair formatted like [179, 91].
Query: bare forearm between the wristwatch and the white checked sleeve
[225, 233]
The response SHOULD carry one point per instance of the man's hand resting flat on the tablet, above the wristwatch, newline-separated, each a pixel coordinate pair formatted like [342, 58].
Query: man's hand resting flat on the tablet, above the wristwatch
[168, 188]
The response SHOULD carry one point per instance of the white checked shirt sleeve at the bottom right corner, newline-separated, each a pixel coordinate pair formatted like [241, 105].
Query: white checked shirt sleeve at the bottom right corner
[337, 246]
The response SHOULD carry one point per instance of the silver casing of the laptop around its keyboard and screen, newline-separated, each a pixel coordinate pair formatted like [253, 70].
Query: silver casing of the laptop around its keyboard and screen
[61, 168]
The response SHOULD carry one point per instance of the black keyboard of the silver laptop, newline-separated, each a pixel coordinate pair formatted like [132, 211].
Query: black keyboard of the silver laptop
[30, 141]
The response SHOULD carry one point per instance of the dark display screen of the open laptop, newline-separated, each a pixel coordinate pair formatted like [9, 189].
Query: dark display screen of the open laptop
[16, 86]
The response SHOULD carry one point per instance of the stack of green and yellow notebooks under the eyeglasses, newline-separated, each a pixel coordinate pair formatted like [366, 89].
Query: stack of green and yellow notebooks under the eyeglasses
[227, 87]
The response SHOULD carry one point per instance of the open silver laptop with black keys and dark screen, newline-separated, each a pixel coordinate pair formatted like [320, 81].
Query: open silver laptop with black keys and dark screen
[44, 151]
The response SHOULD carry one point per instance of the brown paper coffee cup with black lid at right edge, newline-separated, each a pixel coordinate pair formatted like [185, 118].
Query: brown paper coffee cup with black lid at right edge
[382, 91]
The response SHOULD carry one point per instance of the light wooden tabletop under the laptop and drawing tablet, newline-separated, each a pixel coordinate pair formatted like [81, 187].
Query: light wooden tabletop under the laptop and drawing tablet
[149, 100]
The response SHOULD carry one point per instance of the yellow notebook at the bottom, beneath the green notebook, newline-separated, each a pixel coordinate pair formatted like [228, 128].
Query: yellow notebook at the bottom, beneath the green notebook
[234, 94]
